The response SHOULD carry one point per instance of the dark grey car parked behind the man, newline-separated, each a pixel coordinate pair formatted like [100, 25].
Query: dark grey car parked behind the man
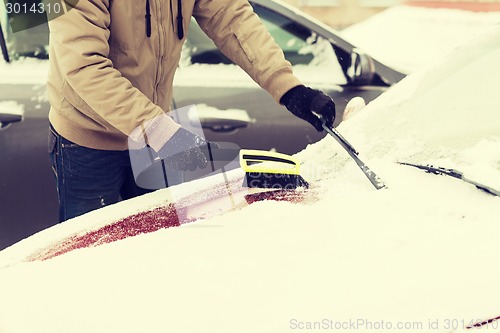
[232, 108]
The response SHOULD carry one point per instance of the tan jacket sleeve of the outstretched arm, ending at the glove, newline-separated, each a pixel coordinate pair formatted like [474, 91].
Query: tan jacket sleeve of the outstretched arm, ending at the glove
[239, 33]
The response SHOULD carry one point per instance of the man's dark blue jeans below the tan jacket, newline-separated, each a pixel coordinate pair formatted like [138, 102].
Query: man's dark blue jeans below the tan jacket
[88, 179]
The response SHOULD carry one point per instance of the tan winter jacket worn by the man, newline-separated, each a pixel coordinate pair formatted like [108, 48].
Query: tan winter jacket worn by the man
[107, 77]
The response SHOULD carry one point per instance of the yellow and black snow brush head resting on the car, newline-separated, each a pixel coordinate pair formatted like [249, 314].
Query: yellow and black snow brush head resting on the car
[271, 170]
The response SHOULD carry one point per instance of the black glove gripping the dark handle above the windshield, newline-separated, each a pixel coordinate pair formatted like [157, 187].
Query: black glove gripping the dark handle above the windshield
[303, 101]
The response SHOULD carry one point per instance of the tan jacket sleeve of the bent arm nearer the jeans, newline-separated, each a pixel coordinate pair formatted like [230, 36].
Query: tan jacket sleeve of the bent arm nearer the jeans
[79, 44]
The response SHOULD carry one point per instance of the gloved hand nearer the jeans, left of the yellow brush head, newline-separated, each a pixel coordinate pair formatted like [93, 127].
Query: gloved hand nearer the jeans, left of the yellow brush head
[185, 151]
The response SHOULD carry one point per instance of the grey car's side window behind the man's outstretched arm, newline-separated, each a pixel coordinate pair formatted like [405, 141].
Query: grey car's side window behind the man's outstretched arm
[295, 40]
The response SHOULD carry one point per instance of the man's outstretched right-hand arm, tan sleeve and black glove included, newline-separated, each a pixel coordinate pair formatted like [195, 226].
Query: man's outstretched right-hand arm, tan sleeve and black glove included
[242, 37]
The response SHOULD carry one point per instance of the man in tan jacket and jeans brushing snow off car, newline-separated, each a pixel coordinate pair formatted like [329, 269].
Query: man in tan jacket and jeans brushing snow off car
[112, 65]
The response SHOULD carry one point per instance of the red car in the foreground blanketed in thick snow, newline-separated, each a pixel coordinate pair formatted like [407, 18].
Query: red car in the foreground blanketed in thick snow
[417, 256]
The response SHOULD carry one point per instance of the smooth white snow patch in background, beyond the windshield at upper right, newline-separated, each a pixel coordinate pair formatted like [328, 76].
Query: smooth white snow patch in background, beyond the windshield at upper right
[409, 37]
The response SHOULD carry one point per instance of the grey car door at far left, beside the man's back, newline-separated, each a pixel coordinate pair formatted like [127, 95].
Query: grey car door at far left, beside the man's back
[28, 196]
